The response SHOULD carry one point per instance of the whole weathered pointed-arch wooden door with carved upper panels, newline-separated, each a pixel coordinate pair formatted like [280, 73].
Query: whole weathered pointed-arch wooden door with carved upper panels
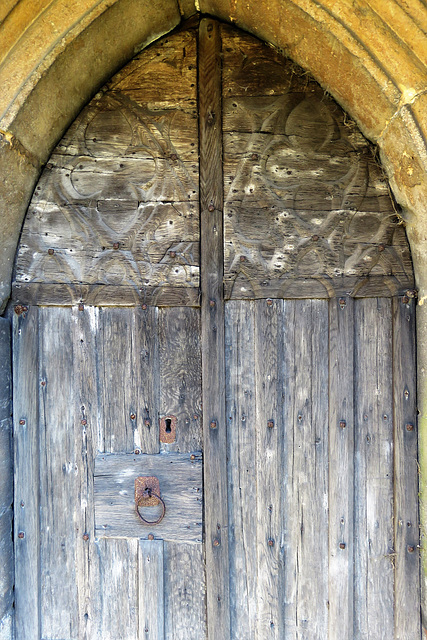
[212, 273]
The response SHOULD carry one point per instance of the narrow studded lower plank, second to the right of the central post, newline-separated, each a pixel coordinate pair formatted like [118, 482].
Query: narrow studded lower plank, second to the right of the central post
[269, 498]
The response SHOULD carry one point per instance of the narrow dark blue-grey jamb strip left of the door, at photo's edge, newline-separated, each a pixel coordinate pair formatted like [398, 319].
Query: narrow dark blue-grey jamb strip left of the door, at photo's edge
[6, 471]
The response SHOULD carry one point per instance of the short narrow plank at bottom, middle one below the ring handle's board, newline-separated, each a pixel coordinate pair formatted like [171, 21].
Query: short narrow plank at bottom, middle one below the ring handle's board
[151, 590]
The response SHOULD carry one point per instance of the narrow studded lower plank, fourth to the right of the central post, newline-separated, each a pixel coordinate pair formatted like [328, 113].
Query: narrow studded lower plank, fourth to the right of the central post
[341, 468]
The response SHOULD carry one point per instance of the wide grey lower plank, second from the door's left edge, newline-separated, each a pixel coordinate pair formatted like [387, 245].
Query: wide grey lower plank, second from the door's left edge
[59, 477]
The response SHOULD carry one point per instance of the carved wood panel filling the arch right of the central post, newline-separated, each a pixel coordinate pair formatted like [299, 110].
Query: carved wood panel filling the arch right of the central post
[307, 208]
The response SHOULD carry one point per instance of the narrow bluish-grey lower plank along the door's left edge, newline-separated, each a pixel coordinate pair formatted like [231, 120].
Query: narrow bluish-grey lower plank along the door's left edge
[26, 378]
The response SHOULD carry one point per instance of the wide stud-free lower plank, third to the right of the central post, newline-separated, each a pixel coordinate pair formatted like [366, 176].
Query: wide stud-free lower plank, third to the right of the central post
[306, 535]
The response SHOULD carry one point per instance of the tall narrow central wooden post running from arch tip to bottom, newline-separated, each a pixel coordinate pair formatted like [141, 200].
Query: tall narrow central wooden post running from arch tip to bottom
[212, 314]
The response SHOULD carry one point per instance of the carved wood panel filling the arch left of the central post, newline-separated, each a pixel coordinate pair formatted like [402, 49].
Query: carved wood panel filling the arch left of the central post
[115, 216]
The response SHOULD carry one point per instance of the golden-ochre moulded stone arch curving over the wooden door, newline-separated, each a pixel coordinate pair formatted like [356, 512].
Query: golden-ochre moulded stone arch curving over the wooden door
[370, 55]
